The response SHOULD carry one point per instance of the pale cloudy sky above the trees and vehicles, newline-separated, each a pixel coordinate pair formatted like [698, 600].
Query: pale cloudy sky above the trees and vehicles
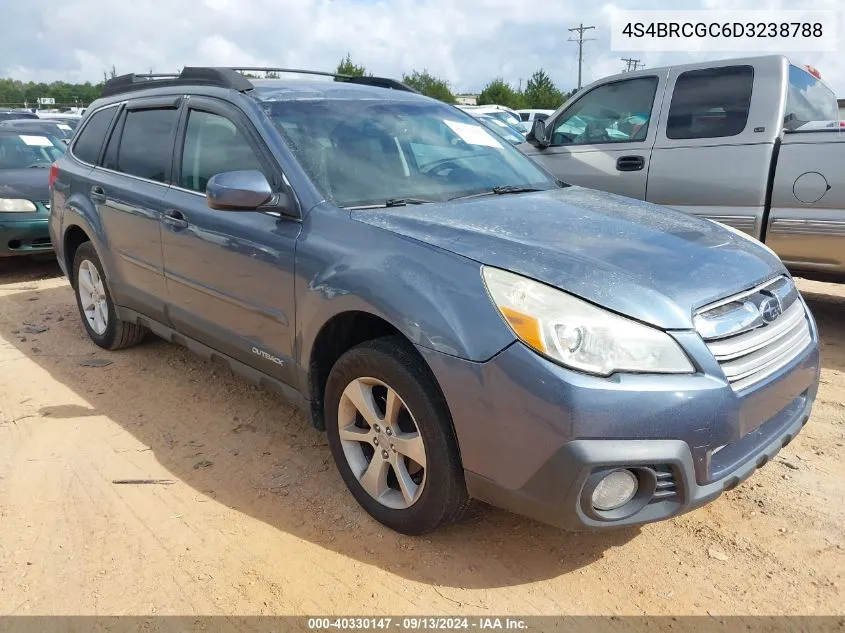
[466, 42]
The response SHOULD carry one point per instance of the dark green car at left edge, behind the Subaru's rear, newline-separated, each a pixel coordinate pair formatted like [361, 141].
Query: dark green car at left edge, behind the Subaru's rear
[25, 160]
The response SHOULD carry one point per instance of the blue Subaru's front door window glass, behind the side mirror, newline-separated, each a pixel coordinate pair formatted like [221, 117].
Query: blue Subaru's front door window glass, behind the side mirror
[213, 145]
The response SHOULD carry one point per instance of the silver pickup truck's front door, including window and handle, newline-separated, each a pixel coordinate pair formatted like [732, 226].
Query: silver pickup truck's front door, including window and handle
[603, 139]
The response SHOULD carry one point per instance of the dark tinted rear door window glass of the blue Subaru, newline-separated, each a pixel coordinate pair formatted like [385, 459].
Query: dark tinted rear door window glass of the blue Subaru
[146, 143]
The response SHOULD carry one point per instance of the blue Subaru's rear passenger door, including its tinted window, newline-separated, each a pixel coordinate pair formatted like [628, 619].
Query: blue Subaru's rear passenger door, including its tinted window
[130, 187]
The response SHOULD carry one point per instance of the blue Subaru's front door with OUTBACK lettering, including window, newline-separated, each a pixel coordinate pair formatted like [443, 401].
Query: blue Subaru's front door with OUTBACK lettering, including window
[230, 274]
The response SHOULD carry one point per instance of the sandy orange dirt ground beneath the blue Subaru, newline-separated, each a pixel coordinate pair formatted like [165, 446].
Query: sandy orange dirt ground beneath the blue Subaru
[257, 521]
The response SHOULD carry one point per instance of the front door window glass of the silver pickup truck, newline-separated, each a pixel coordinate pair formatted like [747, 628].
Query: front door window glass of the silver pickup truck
[613, 113]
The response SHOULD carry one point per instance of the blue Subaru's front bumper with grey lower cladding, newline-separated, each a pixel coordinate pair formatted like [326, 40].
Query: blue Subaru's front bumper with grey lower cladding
[534, 436]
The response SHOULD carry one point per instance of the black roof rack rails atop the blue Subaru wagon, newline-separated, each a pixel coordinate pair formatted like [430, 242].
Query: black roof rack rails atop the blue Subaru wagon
[229, 77]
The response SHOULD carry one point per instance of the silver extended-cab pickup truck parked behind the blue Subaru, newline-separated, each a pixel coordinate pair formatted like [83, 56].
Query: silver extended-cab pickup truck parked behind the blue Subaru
[752, 143]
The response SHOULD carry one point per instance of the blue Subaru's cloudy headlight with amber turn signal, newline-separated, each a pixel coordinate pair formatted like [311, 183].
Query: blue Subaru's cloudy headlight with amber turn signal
[578, 334]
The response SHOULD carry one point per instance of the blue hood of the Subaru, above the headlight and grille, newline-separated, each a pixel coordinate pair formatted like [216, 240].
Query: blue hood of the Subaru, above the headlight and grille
[648, 262]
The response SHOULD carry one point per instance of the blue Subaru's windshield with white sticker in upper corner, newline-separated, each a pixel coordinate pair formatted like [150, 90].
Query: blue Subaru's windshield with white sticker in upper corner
[366, 152]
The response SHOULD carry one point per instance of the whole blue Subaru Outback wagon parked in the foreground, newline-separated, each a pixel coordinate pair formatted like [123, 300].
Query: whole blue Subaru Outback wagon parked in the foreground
[460, 323]
